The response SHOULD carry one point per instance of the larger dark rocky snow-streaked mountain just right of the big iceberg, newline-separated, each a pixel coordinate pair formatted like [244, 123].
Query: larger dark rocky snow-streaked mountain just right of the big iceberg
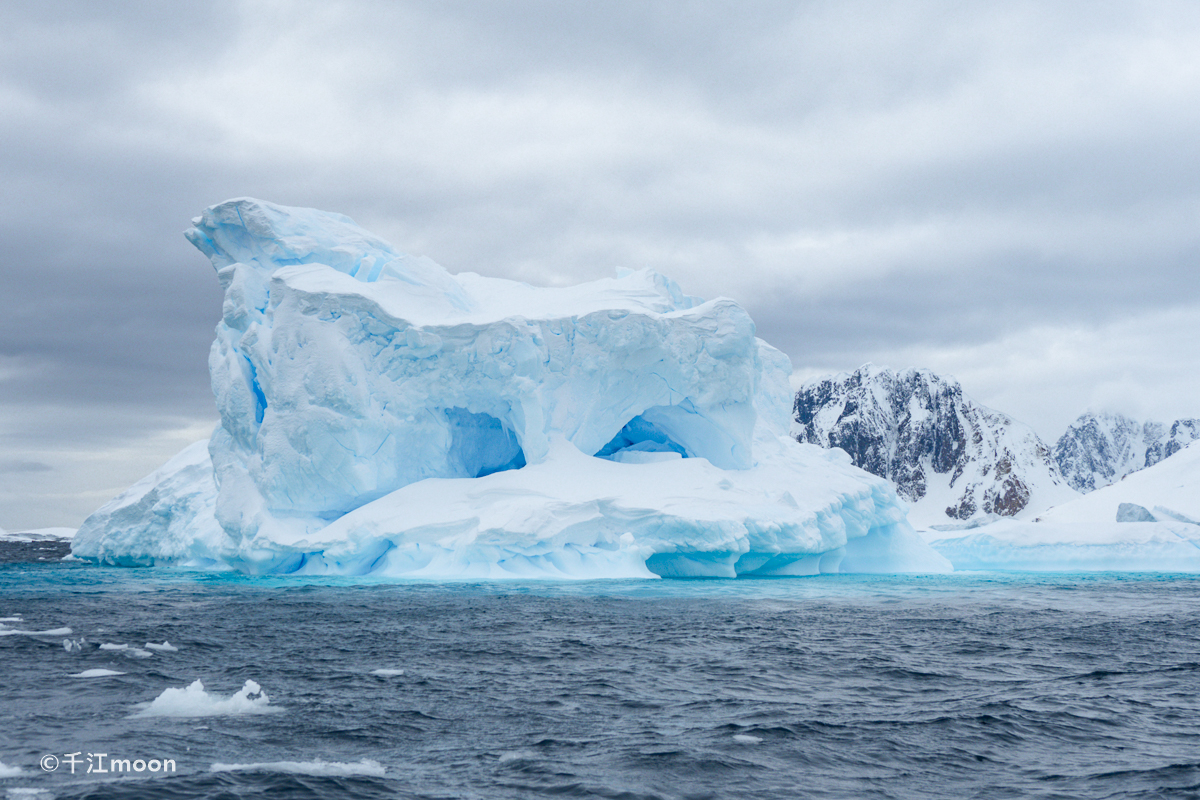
[953, 459]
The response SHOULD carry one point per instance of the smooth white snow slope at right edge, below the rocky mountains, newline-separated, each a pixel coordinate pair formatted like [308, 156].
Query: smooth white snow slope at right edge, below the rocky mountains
[1085, 533]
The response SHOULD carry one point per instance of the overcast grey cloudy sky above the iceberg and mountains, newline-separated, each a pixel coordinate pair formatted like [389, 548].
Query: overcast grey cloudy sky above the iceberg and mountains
[1007, 194]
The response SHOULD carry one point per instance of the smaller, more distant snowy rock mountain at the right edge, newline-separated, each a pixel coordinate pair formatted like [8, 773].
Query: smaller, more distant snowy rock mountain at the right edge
[1101, 449]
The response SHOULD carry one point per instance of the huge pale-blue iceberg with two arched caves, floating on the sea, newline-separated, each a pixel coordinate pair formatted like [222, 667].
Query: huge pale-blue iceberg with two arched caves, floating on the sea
[383, 417]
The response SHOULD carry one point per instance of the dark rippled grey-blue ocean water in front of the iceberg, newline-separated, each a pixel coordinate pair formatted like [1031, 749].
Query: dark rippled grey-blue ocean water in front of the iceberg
[955, 687]
